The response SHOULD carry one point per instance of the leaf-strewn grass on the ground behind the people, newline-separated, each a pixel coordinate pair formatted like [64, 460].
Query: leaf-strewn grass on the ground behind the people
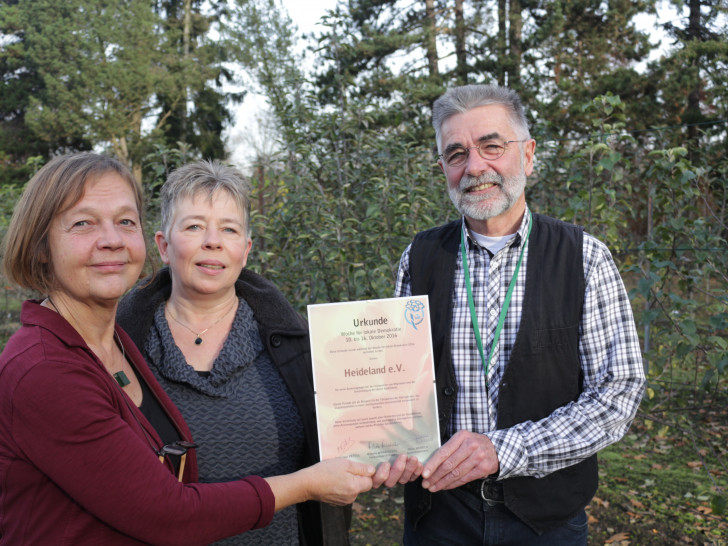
[660, 485]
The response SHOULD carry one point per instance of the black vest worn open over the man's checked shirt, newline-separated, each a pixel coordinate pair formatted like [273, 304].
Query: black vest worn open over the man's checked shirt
[543, 373]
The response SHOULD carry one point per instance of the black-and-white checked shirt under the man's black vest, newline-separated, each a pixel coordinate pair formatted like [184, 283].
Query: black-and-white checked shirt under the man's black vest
[609, 352]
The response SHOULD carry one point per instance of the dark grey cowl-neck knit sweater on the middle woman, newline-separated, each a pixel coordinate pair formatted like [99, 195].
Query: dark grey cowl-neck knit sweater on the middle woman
[241, 415]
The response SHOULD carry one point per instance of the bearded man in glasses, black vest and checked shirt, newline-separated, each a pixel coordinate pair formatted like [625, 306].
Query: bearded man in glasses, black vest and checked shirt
[538, 363]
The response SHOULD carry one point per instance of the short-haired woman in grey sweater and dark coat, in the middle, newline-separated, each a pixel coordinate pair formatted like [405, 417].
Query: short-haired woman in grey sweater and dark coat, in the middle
[231, 352]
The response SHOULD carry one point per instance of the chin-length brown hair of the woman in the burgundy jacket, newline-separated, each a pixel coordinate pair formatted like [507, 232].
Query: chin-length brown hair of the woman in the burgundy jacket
[56, 187]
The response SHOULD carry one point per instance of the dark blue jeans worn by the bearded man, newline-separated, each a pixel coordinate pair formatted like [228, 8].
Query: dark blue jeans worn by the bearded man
[460, 518]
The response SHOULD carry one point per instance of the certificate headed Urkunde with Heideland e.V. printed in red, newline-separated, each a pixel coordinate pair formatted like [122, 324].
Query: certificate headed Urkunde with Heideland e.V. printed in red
[374, 379]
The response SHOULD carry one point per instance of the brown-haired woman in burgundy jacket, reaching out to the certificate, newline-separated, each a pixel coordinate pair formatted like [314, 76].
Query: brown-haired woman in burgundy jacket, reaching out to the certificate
[92, 451]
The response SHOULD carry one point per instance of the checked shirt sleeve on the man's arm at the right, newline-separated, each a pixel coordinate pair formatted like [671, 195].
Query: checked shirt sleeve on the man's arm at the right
[613, 382]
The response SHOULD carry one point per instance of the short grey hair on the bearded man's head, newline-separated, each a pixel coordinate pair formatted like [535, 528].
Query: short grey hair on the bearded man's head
[458, 100]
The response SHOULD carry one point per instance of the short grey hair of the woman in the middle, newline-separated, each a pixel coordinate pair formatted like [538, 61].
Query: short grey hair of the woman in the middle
[204, 177]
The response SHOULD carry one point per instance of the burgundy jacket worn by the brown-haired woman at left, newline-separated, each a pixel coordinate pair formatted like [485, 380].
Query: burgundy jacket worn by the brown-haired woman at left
[77, 460]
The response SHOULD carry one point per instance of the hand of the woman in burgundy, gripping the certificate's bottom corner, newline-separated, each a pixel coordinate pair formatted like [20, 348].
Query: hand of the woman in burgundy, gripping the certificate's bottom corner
[334, 481]
